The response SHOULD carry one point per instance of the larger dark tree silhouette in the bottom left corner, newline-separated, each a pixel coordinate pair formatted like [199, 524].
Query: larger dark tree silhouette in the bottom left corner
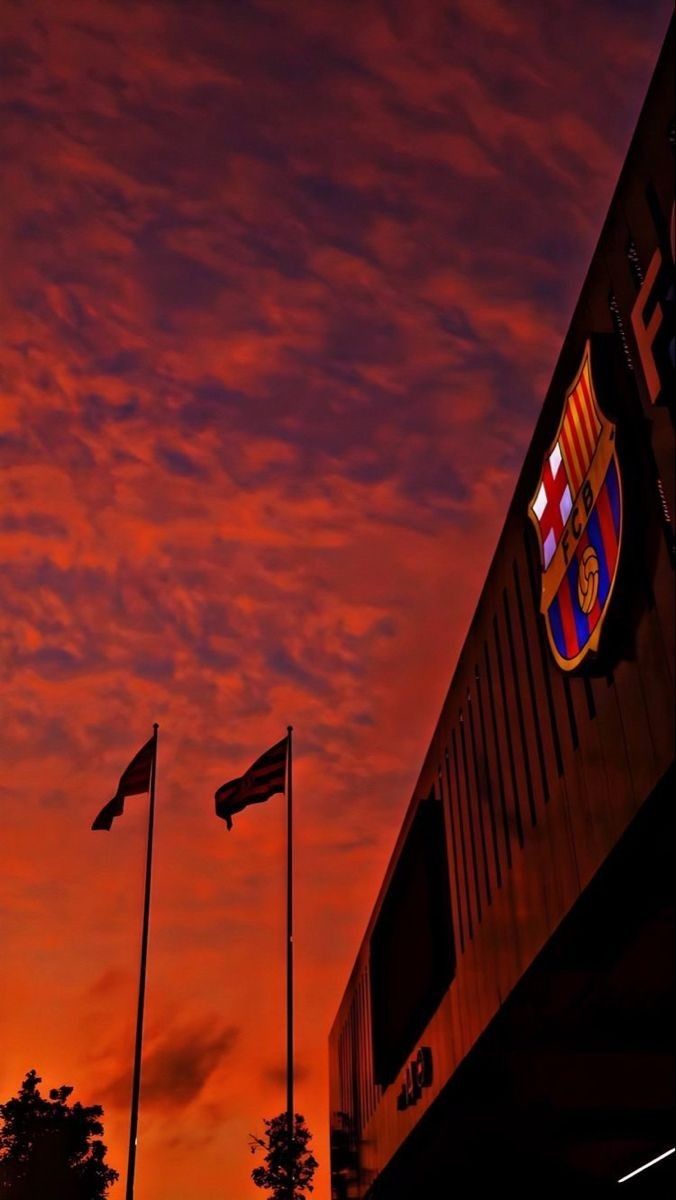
[51, 1149]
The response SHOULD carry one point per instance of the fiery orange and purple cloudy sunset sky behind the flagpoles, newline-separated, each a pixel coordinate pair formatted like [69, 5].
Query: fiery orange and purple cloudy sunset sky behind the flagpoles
[283, 287]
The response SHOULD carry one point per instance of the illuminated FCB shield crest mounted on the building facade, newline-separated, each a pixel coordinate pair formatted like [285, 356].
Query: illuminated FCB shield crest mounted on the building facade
[577, 512]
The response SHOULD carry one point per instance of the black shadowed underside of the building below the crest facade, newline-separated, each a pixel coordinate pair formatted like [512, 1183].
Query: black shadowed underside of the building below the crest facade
[573, 1085]
